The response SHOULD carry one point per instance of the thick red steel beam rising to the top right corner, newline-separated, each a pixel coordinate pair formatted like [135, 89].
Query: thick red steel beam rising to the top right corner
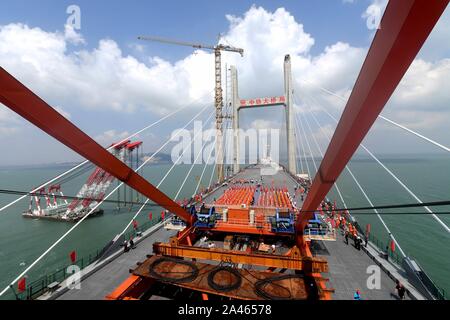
[405, 26]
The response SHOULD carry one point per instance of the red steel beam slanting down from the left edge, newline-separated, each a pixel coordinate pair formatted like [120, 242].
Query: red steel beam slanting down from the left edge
[23, 101]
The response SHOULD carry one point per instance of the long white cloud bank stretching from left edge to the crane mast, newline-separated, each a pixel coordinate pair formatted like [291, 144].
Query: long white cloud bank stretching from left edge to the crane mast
[103, 78]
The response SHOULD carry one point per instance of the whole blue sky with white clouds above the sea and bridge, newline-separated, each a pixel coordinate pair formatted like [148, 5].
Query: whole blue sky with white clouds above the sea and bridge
[110, 84]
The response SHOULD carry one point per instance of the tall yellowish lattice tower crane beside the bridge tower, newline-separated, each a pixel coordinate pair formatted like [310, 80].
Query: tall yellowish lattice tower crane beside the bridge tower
[218, 90]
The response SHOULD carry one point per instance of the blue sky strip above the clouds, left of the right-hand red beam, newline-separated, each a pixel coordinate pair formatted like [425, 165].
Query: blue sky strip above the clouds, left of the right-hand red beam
[197, 20]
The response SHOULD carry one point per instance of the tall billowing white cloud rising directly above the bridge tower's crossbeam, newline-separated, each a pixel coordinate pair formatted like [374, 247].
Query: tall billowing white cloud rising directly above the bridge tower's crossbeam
[266, 38]
